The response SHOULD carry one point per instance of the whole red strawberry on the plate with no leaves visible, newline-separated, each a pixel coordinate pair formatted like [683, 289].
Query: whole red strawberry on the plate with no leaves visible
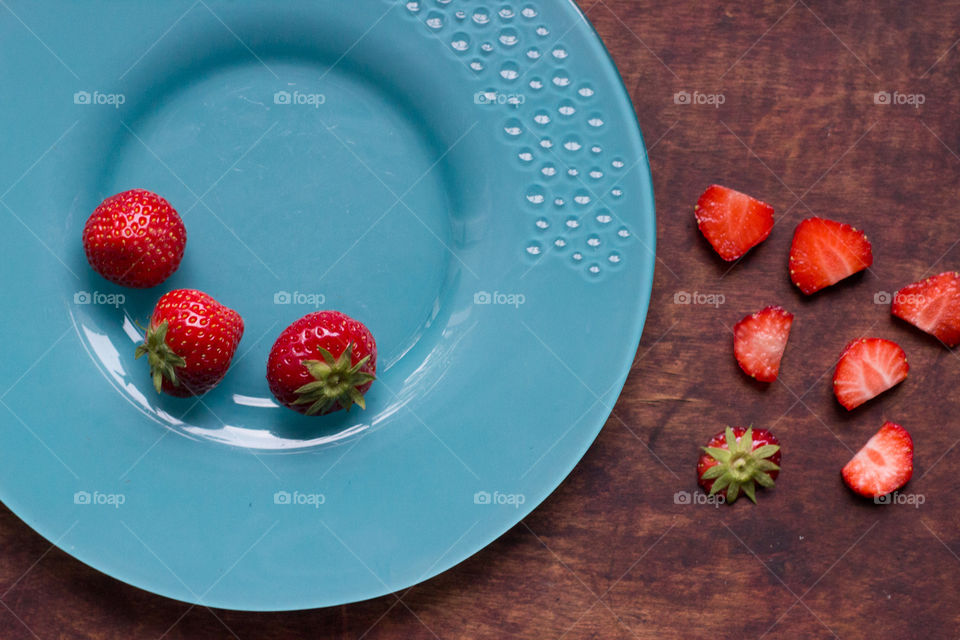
[134, 239]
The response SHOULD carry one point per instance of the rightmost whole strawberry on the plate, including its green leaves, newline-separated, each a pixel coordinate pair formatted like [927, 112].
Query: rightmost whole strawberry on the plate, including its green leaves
[323, 362]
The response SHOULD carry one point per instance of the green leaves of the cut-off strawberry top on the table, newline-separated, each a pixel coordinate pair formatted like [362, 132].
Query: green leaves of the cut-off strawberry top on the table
[740, 466]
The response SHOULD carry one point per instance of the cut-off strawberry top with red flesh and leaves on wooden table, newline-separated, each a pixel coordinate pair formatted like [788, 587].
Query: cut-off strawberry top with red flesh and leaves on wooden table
[739, 458]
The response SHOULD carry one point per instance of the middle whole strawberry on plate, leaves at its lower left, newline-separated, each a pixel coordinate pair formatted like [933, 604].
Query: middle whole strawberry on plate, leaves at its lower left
[190, 342]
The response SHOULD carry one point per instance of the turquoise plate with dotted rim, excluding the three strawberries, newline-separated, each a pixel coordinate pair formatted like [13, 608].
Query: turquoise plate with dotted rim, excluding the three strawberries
[467, 178]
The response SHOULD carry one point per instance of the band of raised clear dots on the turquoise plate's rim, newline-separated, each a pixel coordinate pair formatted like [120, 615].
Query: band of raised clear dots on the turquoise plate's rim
[553, 121]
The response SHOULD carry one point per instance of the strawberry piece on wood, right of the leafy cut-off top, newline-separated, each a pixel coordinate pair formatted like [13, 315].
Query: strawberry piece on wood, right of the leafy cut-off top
[883, 465]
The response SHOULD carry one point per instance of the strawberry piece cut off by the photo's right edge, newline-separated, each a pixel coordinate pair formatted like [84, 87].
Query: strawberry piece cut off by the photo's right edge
[932, 305]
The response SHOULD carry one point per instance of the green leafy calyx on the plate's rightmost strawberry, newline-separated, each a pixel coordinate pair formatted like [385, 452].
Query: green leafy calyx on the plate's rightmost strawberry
[335, 380]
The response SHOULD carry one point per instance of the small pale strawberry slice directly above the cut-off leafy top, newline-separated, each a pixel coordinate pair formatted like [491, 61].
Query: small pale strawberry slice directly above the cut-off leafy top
[759, 341]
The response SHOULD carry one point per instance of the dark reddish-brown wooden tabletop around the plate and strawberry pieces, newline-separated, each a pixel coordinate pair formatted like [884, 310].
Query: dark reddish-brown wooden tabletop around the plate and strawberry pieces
[611, 554]
